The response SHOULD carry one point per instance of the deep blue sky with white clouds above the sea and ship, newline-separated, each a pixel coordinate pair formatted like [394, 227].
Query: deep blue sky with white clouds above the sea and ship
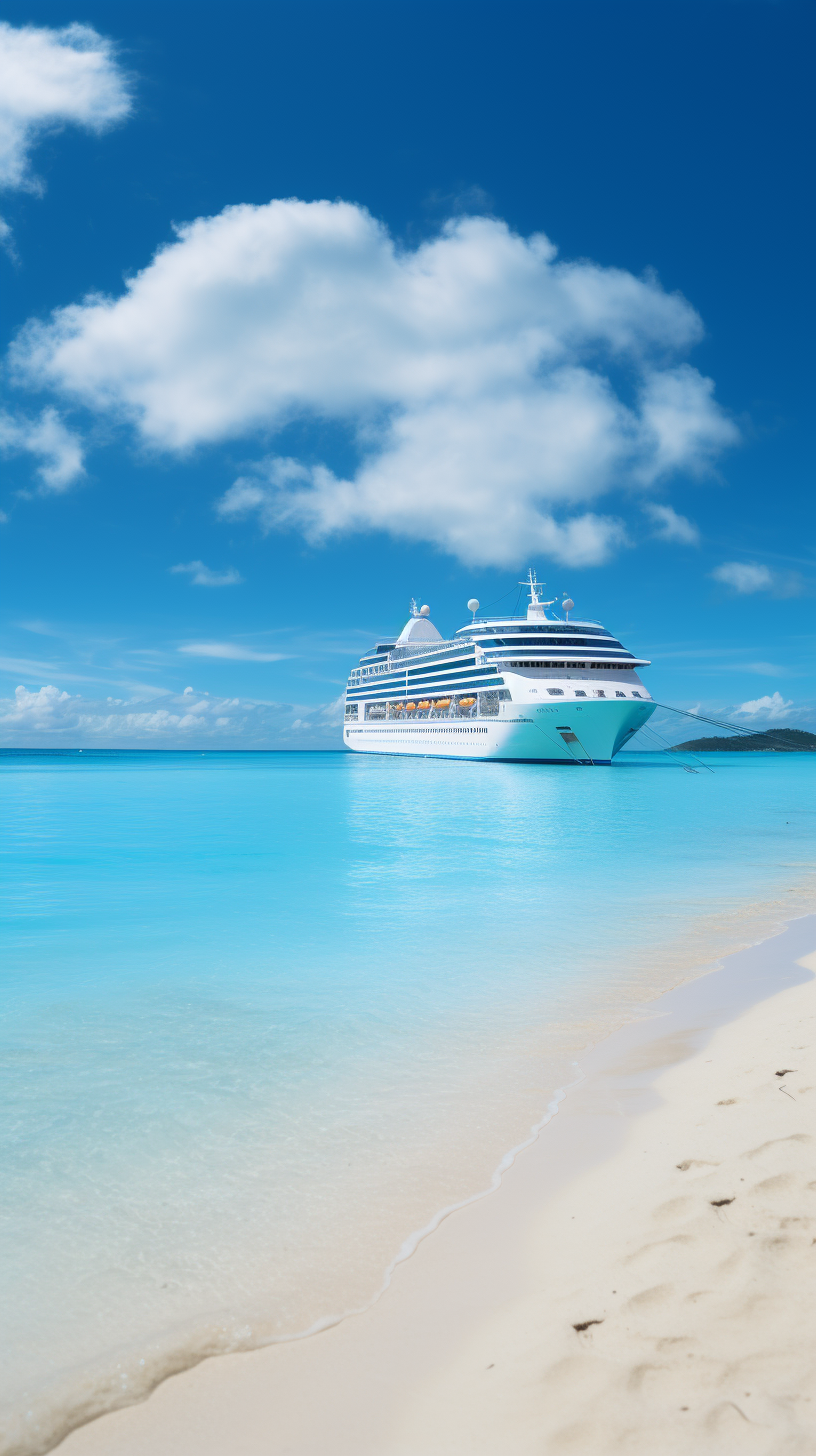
[336, 305]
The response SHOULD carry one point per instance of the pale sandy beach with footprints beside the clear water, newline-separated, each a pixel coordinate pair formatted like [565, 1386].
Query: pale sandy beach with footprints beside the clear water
[668, 1203]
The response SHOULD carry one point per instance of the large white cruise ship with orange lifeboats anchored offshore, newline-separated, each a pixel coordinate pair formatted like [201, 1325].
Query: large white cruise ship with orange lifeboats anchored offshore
[535, 689]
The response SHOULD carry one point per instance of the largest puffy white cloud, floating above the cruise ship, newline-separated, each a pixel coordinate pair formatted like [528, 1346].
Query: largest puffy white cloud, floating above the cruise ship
[474, 376]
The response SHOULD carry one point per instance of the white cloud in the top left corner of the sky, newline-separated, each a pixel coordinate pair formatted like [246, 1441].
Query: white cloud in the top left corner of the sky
[53, 79]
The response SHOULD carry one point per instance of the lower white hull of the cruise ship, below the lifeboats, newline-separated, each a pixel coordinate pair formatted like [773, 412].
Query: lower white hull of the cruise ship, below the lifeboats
[531, 733]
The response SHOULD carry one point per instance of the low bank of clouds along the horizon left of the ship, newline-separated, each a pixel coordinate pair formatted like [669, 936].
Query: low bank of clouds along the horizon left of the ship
[47, 716]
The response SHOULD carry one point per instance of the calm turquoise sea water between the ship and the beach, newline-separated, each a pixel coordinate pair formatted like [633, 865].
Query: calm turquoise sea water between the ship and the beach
[267, 1014]
